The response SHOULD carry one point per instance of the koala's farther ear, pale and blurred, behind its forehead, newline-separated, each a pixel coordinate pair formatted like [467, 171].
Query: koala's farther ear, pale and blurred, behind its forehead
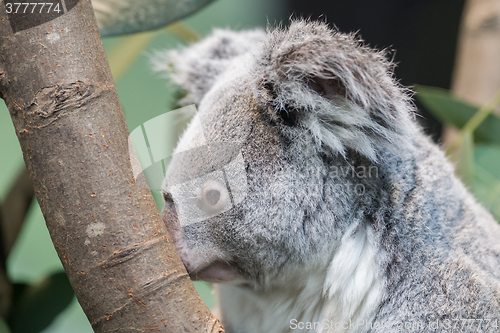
[196, 67]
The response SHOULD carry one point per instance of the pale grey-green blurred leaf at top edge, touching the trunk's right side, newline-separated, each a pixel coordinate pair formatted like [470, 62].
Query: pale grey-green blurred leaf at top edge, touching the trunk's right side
[118, 17]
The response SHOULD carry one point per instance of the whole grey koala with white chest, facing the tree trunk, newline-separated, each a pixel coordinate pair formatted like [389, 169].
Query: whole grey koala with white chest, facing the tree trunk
[305, 189]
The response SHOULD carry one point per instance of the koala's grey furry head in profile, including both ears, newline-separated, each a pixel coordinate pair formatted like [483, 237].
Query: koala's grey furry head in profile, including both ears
[250, 194]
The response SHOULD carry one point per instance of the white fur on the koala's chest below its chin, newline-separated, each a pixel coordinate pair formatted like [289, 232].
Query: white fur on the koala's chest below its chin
[342, 297]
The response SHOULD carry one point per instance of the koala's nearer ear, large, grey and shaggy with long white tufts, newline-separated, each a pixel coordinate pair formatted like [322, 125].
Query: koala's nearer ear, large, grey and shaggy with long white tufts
[341, 91]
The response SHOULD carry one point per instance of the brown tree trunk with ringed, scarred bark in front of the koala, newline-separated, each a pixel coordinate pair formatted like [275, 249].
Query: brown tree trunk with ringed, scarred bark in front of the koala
[55, 80]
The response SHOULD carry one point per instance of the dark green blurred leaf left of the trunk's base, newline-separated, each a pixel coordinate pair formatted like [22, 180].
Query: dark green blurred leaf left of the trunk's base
[38, 305]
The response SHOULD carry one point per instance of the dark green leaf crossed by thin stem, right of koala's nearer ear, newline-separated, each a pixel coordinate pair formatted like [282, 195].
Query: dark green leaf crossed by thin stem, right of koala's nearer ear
[452, 110]
